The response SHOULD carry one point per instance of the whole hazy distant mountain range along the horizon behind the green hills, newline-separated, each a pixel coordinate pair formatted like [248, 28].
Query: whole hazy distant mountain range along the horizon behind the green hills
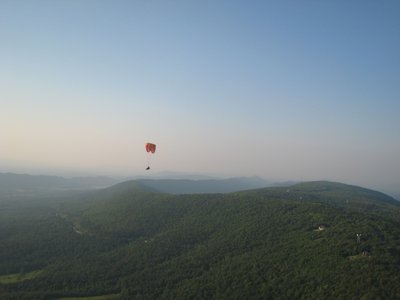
[24, 185]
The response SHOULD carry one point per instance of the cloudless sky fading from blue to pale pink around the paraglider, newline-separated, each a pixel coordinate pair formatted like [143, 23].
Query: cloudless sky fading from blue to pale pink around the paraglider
[300, 90]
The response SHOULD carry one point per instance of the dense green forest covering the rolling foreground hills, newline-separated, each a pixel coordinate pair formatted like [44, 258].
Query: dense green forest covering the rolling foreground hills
[316, 240]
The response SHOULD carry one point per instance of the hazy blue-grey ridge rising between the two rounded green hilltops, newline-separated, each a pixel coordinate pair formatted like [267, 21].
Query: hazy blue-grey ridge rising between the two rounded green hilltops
[200, 186]
